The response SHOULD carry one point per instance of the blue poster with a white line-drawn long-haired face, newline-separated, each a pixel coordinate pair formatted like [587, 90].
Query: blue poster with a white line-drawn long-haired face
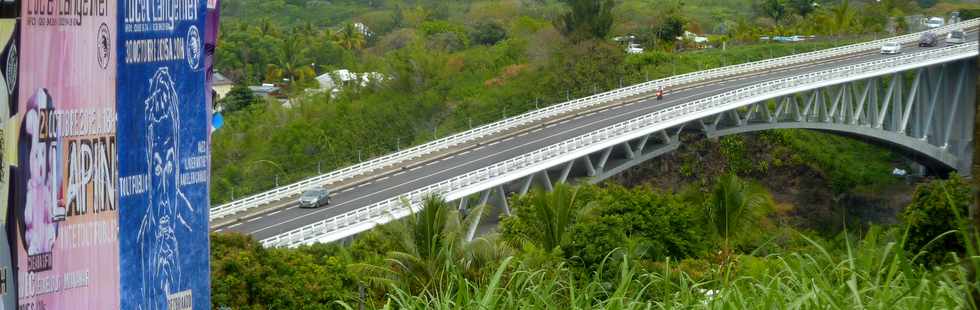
[163, 128]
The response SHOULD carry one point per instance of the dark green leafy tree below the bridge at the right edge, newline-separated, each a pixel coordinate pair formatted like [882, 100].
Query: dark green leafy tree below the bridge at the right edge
[938, 207]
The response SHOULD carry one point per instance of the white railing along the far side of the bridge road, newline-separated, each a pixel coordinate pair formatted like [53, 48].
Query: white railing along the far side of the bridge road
[391, 160]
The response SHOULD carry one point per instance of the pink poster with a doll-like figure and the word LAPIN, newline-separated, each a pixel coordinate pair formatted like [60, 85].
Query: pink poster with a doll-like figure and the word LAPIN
[65, 179]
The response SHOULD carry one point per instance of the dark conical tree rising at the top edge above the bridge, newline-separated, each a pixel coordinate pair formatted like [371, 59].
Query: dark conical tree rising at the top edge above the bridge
[587, 19]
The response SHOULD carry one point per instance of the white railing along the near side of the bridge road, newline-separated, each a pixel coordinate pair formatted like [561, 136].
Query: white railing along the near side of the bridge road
[362, 219]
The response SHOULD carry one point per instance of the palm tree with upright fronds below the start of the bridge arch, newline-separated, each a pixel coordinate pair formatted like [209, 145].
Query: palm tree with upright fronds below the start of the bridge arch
[732, 205]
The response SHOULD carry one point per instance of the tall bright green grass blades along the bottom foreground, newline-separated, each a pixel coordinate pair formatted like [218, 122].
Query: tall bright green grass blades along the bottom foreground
[875, 272]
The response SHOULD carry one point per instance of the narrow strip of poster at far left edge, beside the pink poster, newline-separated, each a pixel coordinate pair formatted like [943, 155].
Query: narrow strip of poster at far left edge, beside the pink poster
[9, 11]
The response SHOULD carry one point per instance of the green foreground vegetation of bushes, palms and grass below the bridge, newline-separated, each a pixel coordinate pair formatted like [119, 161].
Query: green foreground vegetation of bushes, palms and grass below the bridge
[615, 247]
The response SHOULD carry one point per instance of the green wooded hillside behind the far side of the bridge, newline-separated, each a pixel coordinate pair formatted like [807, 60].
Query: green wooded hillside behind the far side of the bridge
[454, 65]
